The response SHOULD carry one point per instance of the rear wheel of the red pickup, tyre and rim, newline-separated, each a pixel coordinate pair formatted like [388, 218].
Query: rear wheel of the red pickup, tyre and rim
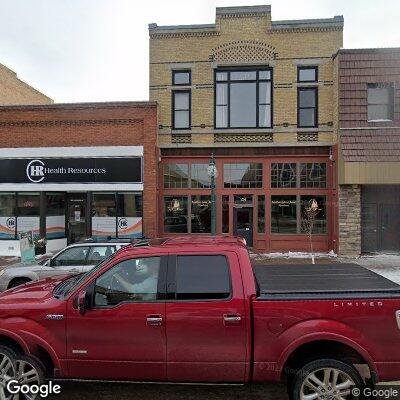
[327, 379]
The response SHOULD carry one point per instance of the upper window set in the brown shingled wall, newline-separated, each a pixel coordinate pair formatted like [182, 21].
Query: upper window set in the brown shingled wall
[380, 102]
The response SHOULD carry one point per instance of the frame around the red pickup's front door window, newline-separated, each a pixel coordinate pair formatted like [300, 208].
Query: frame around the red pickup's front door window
[161, 285]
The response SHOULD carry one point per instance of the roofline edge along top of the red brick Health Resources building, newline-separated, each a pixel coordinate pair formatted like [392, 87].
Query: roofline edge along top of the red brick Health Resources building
[83, 105]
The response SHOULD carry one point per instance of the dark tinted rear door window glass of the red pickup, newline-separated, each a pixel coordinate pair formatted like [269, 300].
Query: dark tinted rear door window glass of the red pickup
[202, 278]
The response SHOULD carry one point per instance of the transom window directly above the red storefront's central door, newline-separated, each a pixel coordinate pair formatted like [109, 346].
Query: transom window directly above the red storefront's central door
[243, 175]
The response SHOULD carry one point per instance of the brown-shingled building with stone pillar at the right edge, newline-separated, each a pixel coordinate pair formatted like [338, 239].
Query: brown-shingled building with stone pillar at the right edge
[369, 132]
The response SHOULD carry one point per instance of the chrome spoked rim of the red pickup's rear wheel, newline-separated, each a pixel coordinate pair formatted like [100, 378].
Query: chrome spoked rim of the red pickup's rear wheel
[327, 384]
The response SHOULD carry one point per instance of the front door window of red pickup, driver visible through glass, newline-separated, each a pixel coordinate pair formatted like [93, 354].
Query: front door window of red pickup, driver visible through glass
[128, 281]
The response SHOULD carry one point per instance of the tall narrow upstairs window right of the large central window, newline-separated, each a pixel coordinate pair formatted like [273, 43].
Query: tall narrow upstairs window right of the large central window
[307, 107]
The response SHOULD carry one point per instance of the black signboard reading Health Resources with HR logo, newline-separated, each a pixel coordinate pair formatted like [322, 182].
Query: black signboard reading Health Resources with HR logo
[71, 170]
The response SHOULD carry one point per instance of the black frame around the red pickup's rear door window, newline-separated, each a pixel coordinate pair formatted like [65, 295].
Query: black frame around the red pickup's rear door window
[172, 279]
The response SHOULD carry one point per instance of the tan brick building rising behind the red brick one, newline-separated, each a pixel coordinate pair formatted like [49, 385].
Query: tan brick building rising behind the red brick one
[13, 91]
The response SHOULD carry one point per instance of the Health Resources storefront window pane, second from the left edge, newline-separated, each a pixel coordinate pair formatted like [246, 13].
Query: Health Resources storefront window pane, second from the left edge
[28, 211]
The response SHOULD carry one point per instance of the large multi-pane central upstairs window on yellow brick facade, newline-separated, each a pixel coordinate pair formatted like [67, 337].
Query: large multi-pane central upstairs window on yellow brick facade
[243, 98]
